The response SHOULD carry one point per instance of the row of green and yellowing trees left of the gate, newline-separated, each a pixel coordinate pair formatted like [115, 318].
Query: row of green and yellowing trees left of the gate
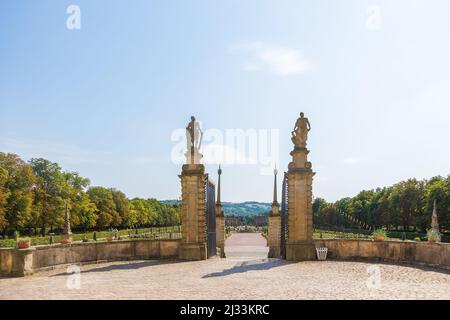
[35, 195]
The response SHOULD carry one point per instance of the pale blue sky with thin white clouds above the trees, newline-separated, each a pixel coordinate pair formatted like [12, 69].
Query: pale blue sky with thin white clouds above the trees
[110, 99]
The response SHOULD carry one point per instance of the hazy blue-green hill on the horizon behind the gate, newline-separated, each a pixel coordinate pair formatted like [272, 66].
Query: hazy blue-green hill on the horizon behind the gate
[243, 209]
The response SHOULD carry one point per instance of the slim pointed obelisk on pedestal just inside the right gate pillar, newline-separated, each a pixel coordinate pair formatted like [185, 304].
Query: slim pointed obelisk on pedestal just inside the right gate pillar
[274, 231]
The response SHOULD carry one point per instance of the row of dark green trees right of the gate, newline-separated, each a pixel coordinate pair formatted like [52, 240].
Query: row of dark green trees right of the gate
[405, 206]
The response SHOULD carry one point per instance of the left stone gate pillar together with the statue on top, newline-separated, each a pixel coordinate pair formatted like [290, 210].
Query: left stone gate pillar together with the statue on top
[193, 194]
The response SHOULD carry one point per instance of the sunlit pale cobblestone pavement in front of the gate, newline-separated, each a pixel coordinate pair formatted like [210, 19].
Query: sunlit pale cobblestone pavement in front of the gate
[237, 277]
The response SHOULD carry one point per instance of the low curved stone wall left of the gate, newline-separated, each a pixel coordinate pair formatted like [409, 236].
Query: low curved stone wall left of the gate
[14, 262]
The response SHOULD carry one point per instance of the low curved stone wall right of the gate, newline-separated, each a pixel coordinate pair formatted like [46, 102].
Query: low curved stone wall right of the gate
[421, 253]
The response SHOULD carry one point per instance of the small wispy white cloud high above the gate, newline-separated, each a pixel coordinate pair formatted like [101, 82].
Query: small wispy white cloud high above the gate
[264, 57]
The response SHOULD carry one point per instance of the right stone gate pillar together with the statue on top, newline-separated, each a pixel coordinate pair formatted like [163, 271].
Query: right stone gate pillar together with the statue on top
[300, 245]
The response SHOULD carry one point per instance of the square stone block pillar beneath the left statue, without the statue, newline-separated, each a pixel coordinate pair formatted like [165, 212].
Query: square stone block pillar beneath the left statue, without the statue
[193, 220]
